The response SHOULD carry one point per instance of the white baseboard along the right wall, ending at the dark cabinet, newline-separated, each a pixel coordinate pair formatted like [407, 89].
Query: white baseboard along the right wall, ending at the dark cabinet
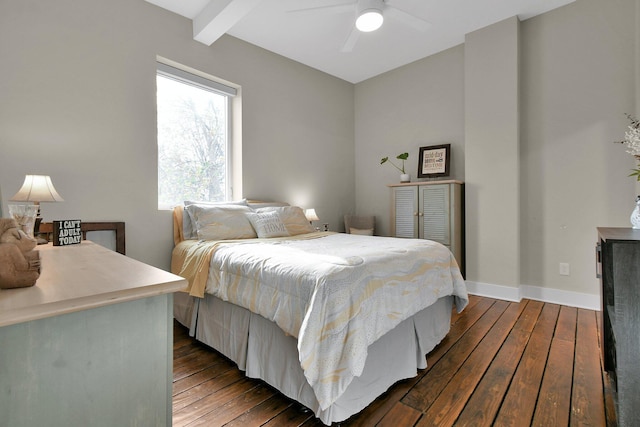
[555, 296]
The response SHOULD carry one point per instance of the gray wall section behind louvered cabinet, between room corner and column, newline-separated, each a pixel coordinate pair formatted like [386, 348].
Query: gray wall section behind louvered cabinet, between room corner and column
[400, 111]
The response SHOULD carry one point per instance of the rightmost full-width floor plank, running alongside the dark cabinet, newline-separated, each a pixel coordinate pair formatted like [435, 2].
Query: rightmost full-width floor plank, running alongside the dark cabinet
[587, 404]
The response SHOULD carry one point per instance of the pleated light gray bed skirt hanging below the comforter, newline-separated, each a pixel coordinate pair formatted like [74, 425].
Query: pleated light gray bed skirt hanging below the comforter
[263, 351]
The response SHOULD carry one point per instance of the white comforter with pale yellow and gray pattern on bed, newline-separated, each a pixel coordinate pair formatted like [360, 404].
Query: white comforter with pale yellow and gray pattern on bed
[336, 294]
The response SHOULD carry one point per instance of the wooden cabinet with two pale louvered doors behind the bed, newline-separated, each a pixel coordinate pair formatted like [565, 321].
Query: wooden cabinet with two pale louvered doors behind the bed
[430, 210]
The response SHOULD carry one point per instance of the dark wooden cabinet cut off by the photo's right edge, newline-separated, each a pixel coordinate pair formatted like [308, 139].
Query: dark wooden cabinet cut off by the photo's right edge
[618, 252]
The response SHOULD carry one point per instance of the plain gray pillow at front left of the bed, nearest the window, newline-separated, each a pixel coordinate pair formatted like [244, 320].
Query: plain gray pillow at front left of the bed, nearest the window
[221, 222]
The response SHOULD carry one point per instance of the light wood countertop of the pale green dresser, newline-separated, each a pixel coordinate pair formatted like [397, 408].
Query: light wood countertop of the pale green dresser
[80, 277]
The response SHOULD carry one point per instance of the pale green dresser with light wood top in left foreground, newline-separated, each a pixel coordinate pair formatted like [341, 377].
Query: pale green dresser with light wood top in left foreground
[90, 344]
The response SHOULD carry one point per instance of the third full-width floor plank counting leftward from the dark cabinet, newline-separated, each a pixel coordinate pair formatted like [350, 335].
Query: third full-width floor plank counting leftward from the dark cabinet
[519, 404]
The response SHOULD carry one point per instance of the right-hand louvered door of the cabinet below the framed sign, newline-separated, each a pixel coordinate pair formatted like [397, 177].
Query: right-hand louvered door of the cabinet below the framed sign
[435, 214]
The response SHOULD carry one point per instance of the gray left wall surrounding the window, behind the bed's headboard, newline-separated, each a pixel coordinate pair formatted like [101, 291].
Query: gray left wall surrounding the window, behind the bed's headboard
[78, 103]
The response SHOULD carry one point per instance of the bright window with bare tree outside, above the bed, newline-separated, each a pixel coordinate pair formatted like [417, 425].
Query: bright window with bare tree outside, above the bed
[194, 141]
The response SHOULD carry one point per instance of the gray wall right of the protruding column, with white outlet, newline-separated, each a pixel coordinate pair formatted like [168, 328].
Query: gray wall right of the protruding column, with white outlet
[578, 76]
